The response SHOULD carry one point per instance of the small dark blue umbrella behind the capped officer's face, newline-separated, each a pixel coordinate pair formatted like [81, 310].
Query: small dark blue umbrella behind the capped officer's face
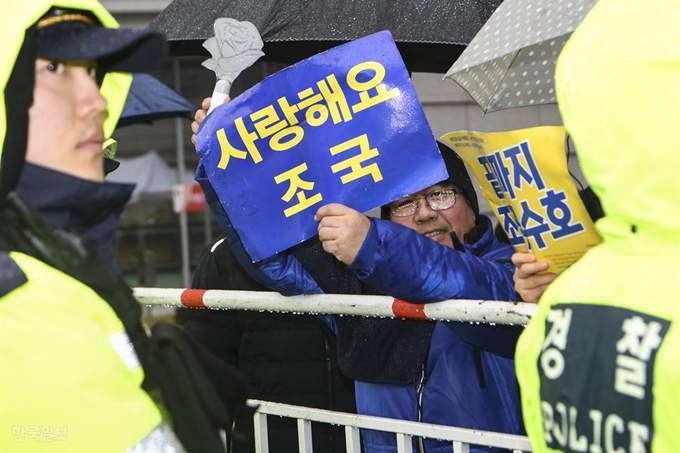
[150, 99]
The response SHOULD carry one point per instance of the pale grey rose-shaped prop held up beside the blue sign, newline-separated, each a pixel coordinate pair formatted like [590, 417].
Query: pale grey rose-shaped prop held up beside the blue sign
[236, 46]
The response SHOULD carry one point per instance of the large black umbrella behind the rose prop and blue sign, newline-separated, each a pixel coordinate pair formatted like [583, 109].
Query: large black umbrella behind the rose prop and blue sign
[429, 33]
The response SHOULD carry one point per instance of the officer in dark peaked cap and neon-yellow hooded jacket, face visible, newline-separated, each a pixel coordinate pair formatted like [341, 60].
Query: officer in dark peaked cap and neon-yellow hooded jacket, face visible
[78, 371]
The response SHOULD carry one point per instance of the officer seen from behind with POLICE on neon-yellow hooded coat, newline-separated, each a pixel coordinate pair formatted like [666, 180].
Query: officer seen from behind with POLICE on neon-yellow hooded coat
[598, 364]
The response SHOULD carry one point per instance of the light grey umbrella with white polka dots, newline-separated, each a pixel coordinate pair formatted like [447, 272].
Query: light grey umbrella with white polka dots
[511, 61]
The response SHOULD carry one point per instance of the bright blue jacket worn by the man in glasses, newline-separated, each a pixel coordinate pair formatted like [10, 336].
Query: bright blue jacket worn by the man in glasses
[461, 384]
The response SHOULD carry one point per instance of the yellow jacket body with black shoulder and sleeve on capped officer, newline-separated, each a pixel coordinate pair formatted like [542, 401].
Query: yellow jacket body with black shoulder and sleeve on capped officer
[73, 346]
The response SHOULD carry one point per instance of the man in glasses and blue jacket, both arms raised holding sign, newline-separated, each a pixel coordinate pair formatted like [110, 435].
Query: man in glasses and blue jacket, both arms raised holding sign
[428, 247]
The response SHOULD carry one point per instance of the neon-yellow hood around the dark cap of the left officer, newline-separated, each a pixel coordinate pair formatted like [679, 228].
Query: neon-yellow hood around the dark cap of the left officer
[17, 30]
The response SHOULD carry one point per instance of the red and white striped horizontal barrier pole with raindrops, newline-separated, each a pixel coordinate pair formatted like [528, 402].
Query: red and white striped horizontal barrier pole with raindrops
[479, 311]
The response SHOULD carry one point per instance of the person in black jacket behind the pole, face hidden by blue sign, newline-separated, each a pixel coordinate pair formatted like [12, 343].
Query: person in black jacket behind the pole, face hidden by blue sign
[286, 358]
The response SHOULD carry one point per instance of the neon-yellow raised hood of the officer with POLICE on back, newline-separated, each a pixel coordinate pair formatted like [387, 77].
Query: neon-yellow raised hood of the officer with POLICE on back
[617, 89]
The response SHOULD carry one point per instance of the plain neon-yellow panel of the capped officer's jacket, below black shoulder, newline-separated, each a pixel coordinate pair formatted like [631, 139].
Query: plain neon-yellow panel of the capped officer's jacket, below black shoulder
[71, 380]
